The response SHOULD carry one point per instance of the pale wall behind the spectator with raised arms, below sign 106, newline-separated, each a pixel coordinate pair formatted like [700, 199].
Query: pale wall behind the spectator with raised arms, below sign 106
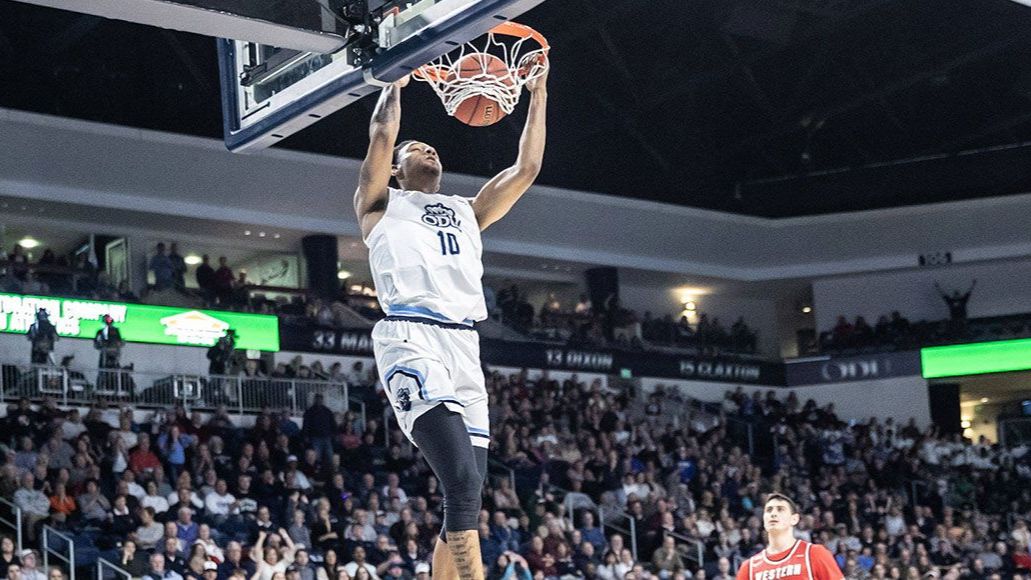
[1003, 289]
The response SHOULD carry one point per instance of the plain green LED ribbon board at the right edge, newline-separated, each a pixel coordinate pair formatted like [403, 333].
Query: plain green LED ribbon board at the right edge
[977, 359]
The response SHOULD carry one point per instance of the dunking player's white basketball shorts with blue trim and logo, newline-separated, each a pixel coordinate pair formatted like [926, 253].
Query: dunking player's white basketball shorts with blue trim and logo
[423, 365]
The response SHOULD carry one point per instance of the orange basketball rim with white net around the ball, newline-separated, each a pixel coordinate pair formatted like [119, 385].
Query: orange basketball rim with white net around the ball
[522, 50]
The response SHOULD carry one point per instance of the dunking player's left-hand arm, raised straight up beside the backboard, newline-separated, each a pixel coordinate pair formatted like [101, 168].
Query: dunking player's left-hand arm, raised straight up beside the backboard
[374, 180]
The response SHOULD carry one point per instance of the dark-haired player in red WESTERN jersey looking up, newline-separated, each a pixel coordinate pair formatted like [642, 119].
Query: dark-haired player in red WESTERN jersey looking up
[786, 558]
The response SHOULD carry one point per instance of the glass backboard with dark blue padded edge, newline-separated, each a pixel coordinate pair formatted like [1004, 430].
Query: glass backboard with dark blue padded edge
[270, 93]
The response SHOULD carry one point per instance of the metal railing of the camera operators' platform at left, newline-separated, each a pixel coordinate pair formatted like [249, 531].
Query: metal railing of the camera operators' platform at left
[239, 394]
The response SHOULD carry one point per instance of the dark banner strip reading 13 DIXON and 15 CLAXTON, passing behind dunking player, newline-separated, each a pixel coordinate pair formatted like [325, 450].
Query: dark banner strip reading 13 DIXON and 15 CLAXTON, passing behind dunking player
[540, 356]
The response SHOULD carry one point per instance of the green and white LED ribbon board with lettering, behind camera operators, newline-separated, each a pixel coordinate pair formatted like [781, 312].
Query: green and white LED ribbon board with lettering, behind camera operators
[141, 323]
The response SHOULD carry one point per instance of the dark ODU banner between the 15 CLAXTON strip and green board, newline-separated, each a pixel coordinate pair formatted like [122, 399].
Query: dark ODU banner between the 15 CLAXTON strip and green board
[822, 370]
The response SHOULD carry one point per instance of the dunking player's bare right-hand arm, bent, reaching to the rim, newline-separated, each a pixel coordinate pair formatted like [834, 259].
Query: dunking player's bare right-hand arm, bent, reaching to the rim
[502, 193]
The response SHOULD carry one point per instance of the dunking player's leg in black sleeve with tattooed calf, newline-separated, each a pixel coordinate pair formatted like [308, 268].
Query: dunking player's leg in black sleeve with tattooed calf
[442, 436]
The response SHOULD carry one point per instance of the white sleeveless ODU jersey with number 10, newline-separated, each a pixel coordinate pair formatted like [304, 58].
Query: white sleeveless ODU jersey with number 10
[426, 258]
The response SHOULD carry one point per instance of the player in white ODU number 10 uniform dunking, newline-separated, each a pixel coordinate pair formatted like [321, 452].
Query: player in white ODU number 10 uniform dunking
[425, 256]
